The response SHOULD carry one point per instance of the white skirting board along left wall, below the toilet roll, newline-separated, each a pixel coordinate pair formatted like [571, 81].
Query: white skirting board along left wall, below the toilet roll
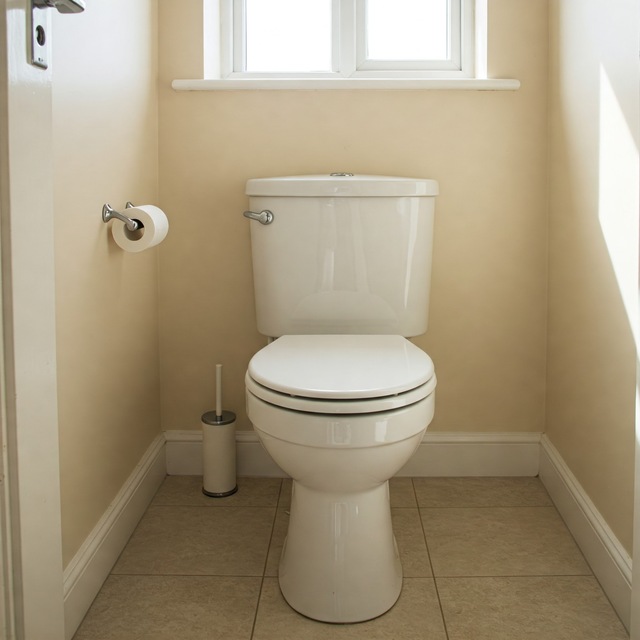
[90, 567]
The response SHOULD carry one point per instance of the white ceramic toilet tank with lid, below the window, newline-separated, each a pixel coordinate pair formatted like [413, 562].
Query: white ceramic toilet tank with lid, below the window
[344, 254]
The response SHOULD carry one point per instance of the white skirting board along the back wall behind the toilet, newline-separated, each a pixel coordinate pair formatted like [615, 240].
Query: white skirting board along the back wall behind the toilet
[439, 454]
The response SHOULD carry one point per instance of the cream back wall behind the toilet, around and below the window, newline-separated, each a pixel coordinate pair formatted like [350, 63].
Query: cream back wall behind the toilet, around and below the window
[486, 149]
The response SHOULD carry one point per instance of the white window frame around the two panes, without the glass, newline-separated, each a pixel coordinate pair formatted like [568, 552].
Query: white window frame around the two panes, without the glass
[348, 47]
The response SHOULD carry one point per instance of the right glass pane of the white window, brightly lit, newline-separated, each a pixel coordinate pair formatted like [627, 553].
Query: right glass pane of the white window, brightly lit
[407, 29]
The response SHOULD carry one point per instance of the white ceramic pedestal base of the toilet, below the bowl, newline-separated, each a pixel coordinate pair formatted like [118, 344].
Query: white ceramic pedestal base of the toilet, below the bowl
[340, 560]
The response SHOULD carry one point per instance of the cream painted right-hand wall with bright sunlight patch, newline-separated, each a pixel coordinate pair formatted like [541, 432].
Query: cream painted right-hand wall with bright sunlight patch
[594, 120]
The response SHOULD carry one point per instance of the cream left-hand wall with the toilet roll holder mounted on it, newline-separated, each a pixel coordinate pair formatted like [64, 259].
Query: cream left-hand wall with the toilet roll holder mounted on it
[105, 150]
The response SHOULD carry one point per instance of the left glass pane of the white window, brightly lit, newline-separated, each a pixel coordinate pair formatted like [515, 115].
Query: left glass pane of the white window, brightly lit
[288, 35]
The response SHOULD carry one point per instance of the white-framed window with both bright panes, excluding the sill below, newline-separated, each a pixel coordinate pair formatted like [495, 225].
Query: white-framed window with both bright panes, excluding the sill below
[347, 39]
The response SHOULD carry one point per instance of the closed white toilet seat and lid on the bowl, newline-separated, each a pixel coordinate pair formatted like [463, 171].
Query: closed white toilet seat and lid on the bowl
[341, 373]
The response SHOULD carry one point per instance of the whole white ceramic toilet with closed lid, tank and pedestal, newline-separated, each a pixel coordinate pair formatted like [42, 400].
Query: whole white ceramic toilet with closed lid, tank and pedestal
[341, 399]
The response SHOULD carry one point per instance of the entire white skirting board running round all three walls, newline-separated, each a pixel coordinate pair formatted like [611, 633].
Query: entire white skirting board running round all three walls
[440, 454]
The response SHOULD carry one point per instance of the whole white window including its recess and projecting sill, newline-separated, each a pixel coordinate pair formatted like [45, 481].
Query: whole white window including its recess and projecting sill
[345, 44]
